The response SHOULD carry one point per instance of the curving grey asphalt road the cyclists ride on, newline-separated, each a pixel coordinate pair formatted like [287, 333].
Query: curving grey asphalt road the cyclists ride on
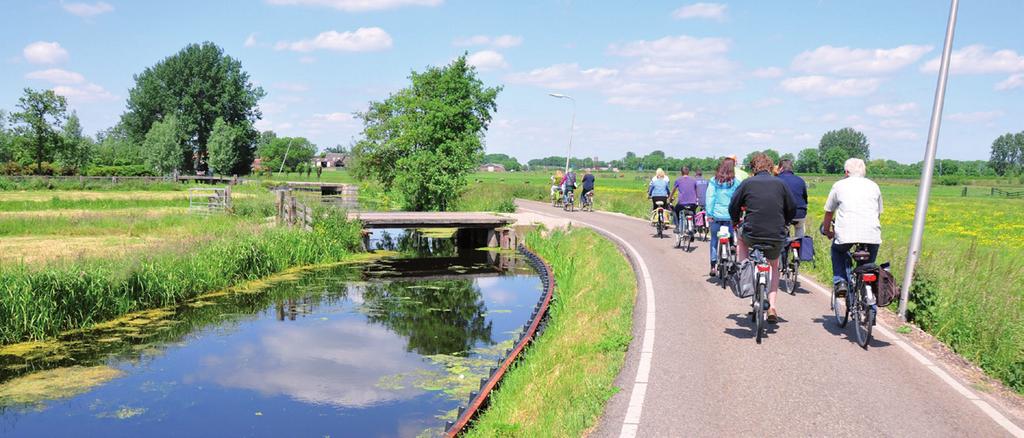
[809, 378]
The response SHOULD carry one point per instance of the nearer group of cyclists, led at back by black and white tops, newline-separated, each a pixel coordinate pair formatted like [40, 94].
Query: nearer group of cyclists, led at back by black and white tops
[761, 208]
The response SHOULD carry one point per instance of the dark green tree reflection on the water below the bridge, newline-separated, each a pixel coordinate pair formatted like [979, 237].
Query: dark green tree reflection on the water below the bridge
[444, 317]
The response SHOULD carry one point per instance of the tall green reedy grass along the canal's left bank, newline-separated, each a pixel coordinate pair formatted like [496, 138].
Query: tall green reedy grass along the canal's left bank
[40, 302]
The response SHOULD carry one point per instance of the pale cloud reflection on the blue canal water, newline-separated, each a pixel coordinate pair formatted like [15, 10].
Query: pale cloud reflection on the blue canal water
[337, 364]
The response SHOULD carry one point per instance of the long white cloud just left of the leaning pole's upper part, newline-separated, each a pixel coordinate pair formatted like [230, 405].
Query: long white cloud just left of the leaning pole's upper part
[850, 62]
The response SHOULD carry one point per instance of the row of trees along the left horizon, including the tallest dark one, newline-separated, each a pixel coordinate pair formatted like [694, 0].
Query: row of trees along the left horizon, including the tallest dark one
[192, 112]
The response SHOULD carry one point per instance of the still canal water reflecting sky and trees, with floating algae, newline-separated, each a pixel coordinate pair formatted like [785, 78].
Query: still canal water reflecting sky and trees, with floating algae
[385, 348]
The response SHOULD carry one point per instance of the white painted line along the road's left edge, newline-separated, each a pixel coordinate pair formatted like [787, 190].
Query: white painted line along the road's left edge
[631, 424]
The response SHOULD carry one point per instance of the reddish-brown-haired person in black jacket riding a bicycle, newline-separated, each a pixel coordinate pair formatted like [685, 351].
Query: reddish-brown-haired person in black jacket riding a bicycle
[766, 207]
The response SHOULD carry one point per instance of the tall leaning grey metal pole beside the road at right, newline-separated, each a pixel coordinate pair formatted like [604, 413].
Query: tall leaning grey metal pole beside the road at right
[914, 251]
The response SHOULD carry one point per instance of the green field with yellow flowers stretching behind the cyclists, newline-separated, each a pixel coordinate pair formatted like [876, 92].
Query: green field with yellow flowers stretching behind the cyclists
[970, 287]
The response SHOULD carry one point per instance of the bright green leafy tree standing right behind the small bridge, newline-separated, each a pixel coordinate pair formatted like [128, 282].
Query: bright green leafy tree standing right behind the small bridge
[424, 140]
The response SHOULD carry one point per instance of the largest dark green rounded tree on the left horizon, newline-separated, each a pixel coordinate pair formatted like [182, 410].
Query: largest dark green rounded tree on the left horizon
[198, 85]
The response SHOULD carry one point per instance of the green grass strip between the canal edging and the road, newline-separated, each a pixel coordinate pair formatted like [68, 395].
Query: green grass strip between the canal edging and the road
[563, 383]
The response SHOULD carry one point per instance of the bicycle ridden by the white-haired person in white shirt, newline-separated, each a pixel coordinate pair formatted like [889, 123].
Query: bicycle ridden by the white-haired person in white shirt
[861, 301]
